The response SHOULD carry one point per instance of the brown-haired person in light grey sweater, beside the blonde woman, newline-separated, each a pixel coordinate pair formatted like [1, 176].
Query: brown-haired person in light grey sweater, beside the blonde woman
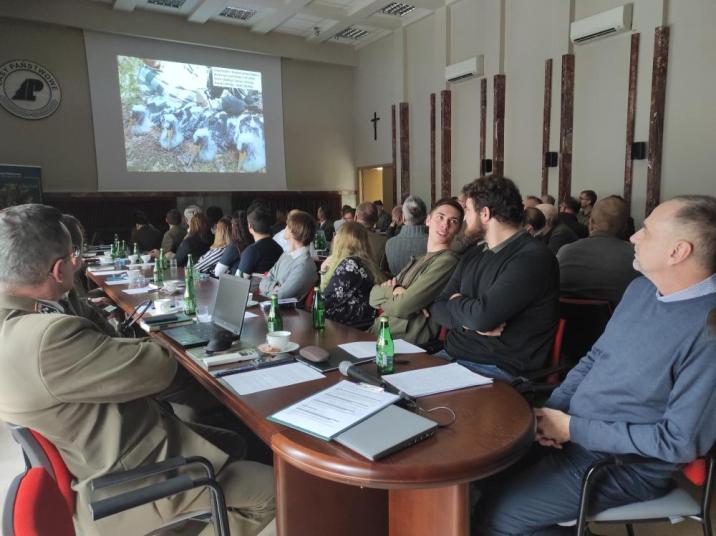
[295, 272]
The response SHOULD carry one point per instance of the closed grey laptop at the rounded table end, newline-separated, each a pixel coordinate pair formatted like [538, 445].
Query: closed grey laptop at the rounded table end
[386, 432]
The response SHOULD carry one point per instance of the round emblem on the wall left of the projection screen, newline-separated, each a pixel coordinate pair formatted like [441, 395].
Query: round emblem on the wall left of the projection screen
[28, 90]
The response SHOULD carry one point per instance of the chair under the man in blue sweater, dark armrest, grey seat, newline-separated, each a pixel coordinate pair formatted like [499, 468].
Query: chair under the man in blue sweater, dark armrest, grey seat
[675, 506]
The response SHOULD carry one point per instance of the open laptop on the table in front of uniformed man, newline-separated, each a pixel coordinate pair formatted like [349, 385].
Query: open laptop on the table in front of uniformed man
[227, 314]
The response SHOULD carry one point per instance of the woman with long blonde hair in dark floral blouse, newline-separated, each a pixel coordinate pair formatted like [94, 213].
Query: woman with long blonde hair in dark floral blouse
[349, 275]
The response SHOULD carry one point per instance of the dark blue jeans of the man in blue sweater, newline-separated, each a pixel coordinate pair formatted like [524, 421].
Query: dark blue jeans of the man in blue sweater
[529, 499]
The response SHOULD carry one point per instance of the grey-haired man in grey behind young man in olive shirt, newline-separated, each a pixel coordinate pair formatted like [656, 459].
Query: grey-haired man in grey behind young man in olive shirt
[413, 238]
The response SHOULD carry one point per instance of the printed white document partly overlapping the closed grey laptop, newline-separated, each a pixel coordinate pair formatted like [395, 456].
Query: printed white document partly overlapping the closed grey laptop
[330, 412]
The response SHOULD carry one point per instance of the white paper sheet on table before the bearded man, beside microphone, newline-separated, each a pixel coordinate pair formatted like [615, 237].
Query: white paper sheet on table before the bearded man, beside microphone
[431, 380]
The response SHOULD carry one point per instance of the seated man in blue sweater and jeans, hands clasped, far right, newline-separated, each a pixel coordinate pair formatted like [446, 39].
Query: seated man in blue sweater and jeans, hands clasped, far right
[645, 387]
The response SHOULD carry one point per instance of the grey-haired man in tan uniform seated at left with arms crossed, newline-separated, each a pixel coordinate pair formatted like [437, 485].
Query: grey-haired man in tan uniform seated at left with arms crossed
[92, 395]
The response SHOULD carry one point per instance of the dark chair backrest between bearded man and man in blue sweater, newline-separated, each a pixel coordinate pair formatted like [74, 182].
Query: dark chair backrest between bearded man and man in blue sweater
[586, 320]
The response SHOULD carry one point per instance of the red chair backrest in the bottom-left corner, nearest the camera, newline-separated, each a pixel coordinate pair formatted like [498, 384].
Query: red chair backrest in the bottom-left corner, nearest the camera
[35, 507]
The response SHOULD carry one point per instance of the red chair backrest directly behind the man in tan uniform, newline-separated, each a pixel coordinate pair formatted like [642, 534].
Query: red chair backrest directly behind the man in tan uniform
[39, 452]
